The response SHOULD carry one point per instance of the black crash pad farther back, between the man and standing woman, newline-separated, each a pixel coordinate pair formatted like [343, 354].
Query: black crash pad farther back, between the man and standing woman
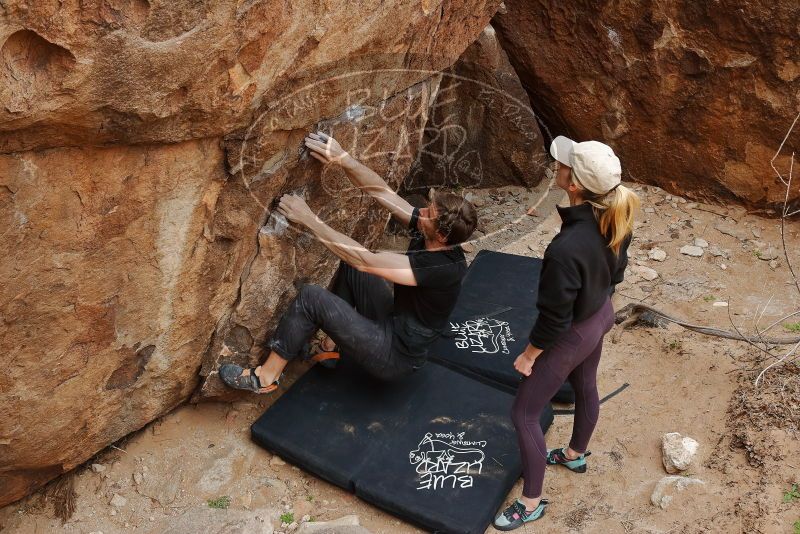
[495, 312]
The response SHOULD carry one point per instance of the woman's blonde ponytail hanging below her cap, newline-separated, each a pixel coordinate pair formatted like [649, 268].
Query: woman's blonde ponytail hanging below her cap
[614, 212]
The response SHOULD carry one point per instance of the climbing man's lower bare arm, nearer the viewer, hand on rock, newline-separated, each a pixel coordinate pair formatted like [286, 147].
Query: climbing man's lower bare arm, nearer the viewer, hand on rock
[389, 266]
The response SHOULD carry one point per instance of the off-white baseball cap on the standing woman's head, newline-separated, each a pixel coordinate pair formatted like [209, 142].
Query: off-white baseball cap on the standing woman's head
[593, 163]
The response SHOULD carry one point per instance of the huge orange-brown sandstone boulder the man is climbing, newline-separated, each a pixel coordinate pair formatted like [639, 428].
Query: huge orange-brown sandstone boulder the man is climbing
[142, 145]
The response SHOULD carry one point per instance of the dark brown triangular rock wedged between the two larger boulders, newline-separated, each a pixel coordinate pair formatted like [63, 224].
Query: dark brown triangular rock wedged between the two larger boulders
[482, 131]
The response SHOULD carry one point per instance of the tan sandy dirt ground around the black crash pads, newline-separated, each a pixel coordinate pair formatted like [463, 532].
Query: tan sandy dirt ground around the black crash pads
[161, 478]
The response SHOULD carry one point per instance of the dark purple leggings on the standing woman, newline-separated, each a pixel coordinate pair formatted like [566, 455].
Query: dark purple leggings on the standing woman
[574, 357]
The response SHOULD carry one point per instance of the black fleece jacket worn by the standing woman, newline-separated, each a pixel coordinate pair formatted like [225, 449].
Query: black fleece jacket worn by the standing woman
[579, 272]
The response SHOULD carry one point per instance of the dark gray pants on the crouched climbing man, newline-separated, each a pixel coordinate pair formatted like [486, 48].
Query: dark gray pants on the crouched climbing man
[357, 316]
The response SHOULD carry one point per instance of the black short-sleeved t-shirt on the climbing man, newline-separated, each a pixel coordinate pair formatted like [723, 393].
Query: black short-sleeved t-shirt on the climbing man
[421, 311]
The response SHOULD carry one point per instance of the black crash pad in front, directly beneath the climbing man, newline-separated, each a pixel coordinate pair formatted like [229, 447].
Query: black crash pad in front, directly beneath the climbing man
[437, 449]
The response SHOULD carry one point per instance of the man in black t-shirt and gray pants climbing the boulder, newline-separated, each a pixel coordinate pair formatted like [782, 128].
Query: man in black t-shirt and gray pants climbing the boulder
[386, 332]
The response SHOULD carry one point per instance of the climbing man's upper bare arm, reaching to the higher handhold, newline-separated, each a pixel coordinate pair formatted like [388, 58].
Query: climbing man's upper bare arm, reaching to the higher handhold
[326, 149]
